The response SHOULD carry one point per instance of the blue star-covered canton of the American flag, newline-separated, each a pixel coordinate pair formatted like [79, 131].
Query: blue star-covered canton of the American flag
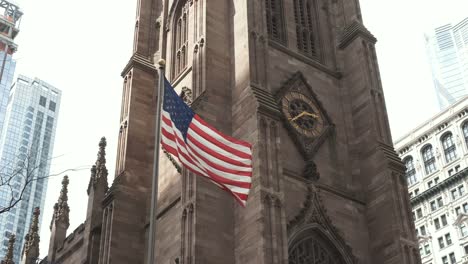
[181, 113]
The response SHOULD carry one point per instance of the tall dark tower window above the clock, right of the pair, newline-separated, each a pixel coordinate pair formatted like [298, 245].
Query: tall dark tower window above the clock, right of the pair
[304, 14]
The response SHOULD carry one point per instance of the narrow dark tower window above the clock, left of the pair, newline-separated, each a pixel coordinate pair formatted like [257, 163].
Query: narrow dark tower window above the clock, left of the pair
[275, 22]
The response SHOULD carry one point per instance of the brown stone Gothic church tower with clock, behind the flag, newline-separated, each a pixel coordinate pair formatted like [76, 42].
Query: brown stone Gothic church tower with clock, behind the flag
[327, 187]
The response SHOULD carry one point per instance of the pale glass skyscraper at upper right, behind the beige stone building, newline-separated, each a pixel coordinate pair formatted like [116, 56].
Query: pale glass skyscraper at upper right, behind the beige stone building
[447, 50]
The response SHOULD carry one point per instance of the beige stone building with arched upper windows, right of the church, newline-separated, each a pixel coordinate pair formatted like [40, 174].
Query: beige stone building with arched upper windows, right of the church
[436, 158]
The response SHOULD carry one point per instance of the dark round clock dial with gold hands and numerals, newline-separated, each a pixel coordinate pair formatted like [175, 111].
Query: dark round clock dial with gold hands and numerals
[302, 114]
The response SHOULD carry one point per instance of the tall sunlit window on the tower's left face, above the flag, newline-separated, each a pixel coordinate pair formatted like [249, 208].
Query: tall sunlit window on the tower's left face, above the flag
[180, 40]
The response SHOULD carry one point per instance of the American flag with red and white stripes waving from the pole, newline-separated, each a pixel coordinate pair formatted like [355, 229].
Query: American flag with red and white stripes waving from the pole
[202, 149]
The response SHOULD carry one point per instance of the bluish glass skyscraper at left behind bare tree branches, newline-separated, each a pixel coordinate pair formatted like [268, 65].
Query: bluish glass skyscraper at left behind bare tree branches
[26, 150]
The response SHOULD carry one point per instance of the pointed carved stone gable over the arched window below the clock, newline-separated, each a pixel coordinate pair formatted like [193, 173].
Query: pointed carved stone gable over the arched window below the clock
[313, 215]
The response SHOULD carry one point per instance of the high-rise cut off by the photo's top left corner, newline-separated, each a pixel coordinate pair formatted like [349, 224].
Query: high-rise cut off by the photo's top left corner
[9, 28]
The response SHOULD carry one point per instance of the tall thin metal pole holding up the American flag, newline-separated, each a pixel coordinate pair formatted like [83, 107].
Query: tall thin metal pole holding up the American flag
[154, 186]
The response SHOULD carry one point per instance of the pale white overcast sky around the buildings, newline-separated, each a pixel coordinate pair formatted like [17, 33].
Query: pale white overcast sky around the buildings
[82, 46]
